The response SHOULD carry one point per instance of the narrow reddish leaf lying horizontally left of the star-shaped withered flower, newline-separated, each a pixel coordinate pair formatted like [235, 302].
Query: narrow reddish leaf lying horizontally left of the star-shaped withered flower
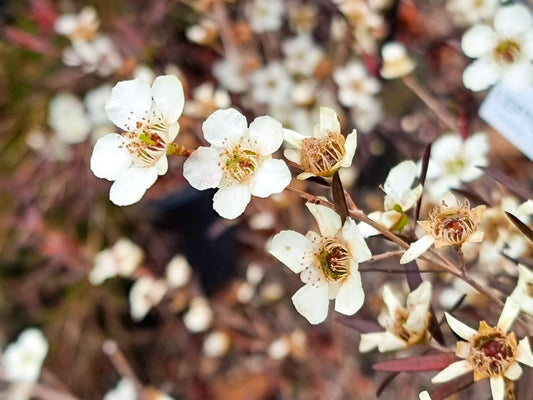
[430, 362]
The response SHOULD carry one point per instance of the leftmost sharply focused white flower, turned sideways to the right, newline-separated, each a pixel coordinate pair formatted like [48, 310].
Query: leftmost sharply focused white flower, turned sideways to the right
[149, 118]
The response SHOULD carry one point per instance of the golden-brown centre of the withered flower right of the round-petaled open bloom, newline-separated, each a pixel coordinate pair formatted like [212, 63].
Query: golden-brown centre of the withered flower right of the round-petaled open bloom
[321, 156]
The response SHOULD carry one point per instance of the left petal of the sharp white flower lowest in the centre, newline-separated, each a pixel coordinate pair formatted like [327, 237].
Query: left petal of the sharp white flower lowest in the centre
[290, 248]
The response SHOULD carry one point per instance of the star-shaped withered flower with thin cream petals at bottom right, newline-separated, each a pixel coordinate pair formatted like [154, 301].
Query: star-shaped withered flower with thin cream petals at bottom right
[490, 352]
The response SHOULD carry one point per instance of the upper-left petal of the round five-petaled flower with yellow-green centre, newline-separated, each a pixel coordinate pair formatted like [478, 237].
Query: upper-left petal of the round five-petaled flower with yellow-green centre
[224, 126]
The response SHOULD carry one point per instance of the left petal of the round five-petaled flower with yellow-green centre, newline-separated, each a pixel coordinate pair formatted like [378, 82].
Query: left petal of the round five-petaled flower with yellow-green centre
[201, 169]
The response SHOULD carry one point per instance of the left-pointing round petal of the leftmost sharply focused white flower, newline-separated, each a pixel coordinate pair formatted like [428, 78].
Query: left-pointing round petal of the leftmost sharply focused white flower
[110, 158]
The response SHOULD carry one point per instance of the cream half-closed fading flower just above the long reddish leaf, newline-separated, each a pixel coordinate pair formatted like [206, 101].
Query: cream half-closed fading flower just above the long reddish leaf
[405, 326]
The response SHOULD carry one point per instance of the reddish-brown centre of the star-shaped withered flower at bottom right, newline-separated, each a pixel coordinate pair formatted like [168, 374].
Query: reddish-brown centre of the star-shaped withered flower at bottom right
[491, 353]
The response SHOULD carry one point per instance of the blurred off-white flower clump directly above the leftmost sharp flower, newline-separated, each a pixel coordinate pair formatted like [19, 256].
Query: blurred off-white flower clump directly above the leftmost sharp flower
[98, 55]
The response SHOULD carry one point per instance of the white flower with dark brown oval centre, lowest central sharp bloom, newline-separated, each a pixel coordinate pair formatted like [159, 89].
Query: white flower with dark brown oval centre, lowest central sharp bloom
[328, 264]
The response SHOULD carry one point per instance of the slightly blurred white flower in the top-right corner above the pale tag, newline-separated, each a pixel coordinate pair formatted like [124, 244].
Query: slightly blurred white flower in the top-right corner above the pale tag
[503, 53]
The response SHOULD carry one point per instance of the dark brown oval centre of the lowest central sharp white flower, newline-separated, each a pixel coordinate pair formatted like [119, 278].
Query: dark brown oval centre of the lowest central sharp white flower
[334, 260]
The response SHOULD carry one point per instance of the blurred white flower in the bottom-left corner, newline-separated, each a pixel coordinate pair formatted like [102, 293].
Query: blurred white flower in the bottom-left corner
[22, 360]
